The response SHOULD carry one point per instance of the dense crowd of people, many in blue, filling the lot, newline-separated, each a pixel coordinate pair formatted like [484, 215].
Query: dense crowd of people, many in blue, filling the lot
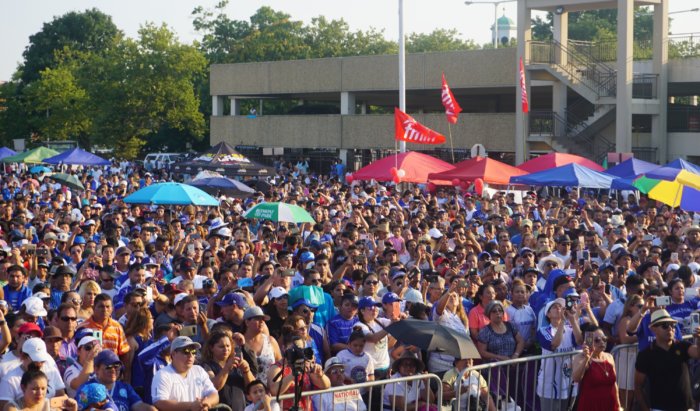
[106, 305]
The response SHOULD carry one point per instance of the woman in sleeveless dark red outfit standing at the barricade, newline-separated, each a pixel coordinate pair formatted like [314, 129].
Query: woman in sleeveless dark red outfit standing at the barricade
[594, 371]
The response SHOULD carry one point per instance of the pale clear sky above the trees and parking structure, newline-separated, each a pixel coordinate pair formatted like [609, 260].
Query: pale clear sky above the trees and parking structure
[20, 19]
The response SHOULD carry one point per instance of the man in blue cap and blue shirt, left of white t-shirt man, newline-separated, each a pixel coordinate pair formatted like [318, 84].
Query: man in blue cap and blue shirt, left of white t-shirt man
[108, 367]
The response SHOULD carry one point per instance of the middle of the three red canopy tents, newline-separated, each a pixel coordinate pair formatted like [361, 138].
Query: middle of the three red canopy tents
[489, 170]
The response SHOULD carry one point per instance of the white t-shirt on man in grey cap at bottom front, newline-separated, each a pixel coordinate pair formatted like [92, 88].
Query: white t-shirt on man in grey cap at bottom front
[169, 385]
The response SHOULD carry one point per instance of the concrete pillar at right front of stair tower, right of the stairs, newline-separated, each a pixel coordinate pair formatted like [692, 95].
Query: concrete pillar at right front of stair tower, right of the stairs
[623, 116]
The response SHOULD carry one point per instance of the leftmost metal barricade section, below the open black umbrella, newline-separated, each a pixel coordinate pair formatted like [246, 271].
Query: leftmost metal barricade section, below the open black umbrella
[389, 394]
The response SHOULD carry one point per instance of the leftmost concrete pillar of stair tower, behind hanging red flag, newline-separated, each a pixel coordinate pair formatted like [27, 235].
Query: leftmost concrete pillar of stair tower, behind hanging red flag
[524, 37]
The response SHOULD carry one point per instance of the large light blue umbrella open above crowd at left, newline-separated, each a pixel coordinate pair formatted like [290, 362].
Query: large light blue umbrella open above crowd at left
[171, 194]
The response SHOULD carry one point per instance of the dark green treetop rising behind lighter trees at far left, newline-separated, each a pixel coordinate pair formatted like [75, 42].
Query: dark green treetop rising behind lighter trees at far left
[90, 30]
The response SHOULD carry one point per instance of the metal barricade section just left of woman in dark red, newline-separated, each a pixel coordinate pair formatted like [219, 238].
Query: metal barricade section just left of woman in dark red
[529, 383]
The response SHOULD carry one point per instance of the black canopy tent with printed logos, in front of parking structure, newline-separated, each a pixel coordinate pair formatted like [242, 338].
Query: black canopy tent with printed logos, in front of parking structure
[224, 159]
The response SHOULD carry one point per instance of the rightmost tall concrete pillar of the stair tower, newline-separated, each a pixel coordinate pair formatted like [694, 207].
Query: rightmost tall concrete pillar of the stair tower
[659, 132]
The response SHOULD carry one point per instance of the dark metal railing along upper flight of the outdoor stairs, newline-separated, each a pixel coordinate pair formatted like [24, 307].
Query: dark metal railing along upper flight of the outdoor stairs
[581, 67]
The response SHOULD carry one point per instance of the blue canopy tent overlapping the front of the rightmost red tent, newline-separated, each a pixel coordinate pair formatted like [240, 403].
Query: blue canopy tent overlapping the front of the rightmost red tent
[570, 175]
